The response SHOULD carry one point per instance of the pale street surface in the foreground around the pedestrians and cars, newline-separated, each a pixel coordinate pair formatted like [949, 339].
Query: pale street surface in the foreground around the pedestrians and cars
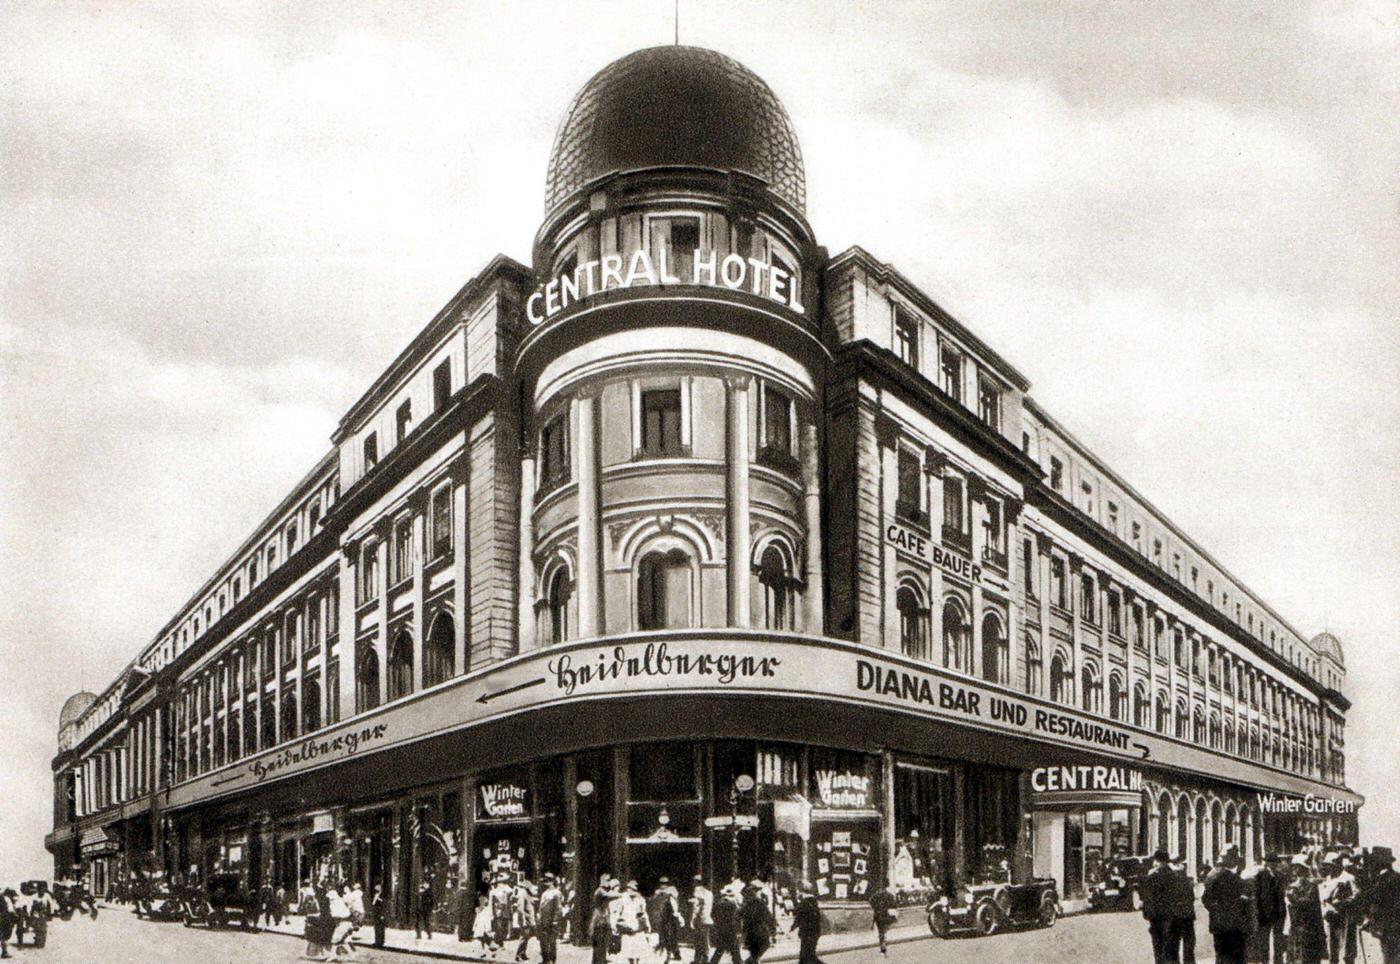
[120, 938]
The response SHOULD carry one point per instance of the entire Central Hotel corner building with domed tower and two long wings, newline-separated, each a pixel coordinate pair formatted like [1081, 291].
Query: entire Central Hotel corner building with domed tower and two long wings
[694, 549]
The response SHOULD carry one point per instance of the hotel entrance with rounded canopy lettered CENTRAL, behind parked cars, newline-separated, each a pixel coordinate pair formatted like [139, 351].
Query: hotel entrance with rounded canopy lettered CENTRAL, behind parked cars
[1084, 816]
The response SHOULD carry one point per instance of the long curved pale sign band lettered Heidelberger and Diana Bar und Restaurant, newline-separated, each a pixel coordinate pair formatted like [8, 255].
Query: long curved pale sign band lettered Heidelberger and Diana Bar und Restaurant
[716, 664]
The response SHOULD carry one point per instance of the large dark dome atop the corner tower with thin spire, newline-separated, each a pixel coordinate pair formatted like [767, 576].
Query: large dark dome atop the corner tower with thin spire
[675, 106]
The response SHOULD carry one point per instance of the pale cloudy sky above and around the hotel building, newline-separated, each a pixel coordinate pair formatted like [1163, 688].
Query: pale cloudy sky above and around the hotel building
[222, 222]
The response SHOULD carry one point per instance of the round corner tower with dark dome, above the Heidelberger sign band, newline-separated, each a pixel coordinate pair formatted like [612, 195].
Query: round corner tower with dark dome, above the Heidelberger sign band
[671, 364]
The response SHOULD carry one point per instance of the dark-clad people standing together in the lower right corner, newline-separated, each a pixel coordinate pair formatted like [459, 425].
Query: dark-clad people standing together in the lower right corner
[1304, 910]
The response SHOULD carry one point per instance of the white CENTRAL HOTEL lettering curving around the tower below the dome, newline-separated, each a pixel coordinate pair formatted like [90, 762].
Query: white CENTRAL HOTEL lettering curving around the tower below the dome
[706, 269]
